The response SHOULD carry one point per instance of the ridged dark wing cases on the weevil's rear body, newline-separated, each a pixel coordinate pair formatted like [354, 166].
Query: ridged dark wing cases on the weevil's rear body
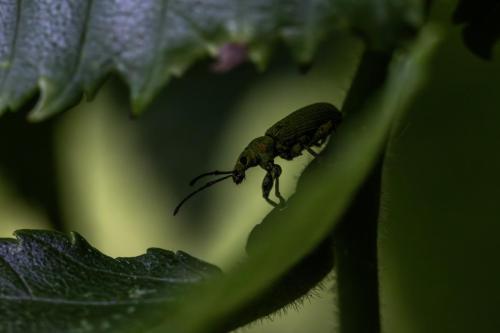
[304, 122]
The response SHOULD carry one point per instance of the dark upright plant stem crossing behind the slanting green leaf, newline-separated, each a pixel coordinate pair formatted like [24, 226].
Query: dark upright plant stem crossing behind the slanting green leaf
[355, 239]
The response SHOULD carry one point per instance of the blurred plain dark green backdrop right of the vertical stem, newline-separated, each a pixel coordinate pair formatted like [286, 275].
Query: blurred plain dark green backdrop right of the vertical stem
[439, 229]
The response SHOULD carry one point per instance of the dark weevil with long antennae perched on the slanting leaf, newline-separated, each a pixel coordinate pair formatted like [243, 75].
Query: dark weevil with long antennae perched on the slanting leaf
[307, 127]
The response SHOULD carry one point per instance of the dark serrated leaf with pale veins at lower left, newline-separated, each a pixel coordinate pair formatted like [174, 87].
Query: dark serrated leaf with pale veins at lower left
[53, 283]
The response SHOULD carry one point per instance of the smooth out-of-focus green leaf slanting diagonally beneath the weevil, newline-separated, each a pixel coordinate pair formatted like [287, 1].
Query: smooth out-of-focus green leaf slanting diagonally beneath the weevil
[323, 193]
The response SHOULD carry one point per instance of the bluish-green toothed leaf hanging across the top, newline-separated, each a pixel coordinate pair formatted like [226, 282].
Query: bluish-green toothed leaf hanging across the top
[65, 48]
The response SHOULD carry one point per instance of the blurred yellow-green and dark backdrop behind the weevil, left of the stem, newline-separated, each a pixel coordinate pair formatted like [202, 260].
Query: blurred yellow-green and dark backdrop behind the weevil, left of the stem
[116, 180]
